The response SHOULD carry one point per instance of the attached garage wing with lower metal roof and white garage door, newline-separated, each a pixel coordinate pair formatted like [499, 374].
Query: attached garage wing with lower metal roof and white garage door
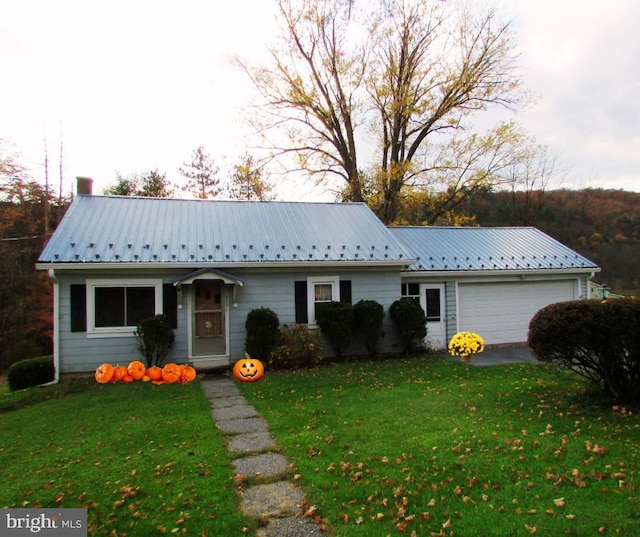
[490, 281]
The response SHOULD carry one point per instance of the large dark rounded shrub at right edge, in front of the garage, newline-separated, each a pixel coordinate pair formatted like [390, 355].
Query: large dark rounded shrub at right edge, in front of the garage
[598, 340]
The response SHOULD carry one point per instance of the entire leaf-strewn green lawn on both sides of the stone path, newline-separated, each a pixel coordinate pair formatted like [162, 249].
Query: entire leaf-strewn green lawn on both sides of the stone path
[416, 445]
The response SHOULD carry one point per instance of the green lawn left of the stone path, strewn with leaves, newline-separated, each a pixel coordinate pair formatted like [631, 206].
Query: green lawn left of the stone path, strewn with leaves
[145, 460]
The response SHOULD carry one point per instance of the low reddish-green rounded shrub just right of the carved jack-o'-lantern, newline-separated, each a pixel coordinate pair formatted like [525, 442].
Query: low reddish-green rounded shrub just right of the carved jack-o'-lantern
[297, 347]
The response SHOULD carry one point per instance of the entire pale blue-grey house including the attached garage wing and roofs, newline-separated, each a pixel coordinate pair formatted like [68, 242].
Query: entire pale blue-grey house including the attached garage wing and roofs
[205, 264]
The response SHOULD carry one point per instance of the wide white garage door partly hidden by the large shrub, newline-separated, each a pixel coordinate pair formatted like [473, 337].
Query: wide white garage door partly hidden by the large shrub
[500, 312]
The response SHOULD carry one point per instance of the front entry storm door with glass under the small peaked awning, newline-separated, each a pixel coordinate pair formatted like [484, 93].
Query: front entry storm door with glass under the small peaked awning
[208, 326]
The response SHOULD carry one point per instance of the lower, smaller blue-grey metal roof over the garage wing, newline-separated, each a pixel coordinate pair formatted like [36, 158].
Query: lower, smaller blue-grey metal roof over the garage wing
[487, 248]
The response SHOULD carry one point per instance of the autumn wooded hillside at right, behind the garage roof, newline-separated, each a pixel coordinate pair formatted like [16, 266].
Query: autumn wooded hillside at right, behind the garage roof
[602, 225]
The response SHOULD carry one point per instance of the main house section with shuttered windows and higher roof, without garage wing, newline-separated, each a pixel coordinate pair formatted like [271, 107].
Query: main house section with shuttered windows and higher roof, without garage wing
[117, 260]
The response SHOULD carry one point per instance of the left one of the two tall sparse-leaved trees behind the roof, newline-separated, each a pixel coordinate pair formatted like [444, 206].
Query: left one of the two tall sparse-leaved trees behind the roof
[310, 90]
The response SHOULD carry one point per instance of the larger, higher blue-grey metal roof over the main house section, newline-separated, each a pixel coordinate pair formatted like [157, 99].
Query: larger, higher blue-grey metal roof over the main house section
[133, 230]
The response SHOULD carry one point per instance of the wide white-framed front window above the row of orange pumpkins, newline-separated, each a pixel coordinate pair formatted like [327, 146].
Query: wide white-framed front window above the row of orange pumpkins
[116, 307]
